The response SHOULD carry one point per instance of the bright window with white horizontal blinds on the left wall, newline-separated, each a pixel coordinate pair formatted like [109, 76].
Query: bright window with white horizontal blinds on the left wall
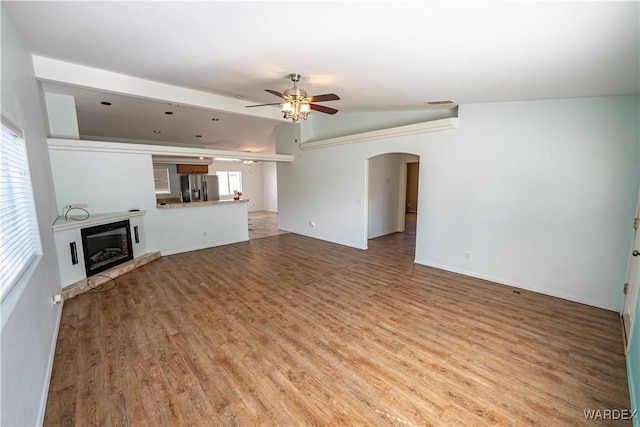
[19, 237]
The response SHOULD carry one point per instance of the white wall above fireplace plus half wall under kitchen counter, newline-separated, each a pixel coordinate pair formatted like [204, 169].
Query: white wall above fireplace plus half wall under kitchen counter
[117, 182]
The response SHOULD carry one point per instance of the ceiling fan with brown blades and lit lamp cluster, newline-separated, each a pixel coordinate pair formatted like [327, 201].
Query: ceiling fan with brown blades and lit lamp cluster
[297, 104]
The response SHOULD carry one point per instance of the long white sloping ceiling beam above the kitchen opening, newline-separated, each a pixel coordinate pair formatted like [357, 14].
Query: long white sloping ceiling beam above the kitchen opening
[55, 71]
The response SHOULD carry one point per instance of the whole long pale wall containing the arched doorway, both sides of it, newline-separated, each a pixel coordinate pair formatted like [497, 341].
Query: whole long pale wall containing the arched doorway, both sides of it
[539, 193]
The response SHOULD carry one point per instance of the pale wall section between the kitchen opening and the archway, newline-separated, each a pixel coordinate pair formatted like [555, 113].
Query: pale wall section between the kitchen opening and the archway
[321, 193]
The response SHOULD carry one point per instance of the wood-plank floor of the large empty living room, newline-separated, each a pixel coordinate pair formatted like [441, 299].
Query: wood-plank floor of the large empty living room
[292, 331]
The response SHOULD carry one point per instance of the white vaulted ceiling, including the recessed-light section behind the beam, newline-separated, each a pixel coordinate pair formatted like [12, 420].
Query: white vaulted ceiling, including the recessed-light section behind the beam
[377, 56]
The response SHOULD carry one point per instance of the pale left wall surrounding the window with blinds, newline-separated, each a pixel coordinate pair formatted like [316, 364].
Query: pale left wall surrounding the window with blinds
[29, 323]
